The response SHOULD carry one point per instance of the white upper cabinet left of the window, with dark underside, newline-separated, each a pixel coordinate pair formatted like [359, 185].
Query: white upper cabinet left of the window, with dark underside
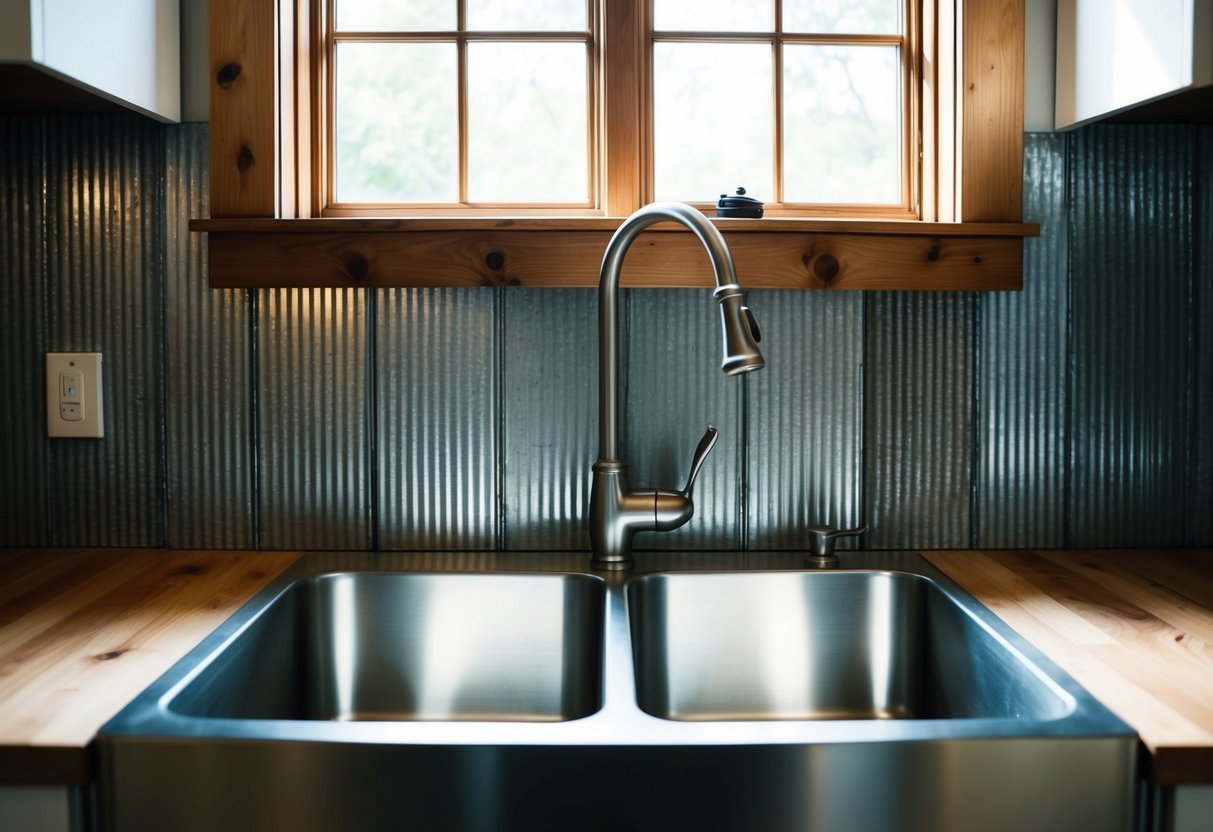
[87, 56]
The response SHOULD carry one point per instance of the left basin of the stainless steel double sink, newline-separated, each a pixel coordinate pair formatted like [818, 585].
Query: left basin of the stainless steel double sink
[358, 647]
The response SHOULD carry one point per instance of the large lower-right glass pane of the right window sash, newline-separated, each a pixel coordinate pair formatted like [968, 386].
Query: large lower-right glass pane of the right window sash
[842, 126]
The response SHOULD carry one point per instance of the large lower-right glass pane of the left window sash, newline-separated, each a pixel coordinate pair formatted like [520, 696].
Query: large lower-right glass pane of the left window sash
[527, 117]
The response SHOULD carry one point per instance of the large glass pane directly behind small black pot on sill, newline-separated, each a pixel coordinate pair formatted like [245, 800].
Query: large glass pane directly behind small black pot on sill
[714, 124]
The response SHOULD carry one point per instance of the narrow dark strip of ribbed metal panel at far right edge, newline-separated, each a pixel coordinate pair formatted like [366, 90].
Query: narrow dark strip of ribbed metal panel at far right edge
[1200, 506]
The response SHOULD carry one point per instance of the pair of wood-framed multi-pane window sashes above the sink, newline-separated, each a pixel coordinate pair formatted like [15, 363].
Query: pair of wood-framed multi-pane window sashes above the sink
[492, 104]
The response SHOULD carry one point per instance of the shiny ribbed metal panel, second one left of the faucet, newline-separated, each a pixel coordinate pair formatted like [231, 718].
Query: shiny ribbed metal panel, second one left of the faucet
[436, 383]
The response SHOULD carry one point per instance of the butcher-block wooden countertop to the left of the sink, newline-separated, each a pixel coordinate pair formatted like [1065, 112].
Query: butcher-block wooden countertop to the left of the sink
[84, 631]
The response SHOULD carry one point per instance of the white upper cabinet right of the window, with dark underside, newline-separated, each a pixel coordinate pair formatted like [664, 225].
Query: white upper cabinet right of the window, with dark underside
[1135, 60]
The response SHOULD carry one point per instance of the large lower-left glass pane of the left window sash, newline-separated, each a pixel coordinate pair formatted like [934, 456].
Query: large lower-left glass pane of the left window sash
[397, 124]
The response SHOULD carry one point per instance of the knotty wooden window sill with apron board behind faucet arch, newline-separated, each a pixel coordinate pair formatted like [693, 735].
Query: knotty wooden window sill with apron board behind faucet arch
[545, 253]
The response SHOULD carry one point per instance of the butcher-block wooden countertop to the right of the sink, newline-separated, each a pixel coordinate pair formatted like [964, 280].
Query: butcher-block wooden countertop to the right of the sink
[1135, 628]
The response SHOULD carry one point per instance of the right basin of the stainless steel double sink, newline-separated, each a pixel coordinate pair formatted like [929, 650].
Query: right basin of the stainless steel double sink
[824, 646]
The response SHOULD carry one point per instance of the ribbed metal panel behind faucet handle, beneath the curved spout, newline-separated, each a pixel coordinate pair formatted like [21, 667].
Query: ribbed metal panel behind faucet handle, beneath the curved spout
[674, 390]
